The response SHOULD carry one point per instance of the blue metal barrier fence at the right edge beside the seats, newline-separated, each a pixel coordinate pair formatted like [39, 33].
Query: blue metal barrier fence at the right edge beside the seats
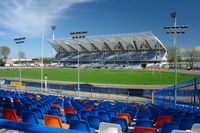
[185, 95]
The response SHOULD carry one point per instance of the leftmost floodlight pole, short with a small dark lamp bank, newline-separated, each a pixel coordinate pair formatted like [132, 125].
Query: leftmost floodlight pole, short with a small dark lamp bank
[19, 41]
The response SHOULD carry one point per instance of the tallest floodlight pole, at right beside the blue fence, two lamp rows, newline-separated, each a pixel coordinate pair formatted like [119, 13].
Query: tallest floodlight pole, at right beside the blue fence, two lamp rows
[175, 30]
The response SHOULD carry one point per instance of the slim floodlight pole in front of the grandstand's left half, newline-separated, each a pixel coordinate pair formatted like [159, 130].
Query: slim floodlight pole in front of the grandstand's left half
[77, 36]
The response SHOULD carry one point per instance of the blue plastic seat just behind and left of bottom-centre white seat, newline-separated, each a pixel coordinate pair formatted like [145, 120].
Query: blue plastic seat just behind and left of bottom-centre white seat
[94, 121]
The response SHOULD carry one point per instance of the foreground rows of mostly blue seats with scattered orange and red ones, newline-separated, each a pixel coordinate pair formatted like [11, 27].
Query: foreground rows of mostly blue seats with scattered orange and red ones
[88, 115]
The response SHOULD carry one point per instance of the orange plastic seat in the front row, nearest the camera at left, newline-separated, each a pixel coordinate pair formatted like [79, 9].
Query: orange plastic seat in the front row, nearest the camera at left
[54, 121]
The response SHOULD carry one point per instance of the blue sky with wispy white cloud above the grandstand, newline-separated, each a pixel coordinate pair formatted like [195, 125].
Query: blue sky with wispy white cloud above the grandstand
[26, 18]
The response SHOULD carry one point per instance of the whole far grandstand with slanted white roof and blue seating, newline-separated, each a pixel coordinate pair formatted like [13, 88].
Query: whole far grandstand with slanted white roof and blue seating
[130, 50]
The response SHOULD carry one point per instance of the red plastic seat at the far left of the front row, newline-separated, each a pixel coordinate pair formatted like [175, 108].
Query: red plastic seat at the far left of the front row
[10, 114]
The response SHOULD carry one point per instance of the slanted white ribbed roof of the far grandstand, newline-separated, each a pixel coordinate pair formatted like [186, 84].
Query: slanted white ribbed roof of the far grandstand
[145, 41]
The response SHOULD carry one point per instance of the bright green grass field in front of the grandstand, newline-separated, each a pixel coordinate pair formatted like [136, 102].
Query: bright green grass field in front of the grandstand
[126, 77]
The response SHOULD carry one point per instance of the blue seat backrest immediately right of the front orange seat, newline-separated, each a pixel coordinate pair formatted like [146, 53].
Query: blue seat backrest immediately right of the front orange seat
[79, 125]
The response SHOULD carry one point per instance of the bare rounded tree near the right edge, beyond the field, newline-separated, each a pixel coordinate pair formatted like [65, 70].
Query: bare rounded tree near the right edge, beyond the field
[191, 55]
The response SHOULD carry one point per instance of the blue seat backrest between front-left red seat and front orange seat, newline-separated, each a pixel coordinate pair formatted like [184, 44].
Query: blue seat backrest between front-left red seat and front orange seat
[29, 117]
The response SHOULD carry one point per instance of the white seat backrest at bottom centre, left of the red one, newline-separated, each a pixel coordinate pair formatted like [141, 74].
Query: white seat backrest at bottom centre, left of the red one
[109, 128]
